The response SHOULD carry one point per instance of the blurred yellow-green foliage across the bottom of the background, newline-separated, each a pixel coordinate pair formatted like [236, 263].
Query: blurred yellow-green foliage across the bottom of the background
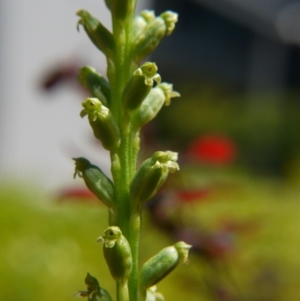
[48, 247]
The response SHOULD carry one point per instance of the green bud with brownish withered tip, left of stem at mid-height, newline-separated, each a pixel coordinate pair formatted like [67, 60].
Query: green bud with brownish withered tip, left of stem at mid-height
[96, 181]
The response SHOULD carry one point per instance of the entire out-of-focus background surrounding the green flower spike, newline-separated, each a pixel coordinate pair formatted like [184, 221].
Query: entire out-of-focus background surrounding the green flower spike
[236, 127]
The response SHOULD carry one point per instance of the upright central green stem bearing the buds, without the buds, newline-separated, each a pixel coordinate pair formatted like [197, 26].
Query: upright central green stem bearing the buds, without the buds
[125, 158]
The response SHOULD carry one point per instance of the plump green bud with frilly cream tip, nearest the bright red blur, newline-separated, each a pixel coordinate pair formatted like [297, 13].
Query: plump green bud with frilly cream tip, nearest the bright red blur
[151, 175]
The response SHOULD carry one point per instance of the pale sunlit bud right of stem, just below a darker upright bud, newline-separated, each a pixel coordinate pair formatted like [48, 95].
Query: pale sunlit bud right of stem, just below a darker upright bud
[152, 104]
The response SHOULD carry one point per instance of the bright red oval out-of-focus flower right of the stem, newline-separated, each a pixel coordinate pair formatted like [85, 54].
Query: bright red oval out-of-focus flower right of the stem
[213, 149]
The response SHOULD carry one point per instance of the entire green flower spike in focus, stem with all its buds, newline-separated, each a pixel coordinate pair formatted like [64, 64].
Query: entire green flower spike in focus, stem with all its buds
[117, 110]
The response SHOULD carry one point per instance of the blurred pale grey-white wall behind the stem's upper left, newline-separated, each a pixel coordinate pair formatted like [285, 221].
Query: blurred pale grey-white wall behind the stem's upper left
[40, 132]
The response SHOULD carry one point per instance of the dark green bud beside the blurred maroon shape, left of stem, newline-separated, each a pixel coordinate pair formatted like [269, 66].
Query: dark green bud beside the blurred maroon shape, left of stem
[96, 84]
